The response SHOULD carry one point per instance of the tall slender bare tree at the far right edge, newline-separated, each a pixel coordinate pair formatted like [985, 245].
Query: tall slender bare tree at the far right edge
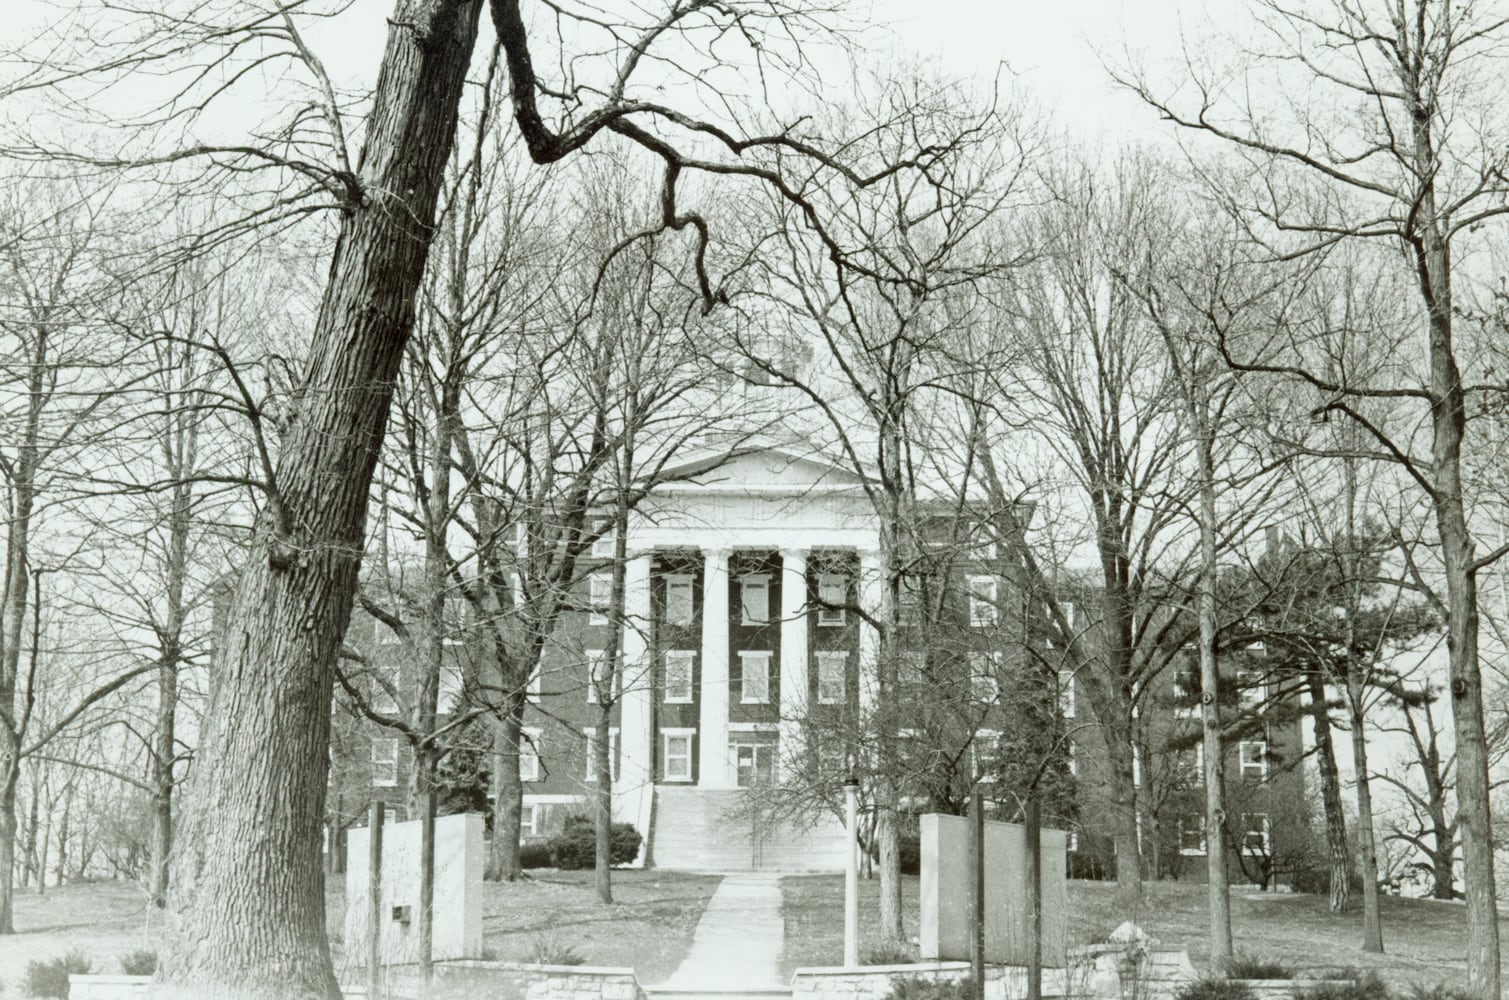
[1380, 153]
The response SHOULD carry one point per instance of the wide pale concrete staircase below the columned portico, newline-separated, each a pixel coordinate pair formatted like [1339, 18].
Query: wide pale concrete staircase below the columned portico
[715, 830]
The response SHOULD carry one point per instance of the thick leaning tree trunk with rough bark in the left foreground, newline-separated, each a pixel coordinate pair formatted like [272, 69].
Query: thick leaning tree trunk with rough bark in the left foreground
[248, 912]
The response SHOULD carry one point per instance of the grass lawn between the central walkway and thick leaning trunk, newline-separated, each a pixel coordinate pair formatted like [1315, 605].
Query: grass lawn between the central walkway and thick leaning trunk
[648, 928]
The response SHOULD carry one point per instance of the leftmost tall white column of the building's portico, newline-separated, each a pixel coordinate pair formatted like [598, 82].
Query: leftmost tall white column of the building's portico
[638, 705]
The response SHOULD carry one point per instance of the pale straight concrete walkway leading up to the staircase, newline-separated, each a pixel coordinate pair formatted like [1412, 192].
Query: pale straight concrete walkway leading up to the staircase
[739, 942]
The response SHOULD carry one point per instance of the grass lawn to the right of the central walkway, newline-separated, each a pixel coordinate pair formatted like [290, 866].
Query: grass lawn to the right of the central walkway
[1425, 939]
